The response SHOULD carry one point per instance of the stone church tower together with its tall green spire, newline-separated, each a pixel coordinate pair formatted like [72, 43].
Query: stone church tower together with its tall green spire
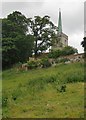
[62, 38]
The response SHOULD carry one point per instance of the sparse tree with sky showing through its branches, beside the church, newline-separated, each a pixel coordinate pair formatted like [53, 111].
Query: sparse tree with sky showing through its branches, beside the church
[43, 31]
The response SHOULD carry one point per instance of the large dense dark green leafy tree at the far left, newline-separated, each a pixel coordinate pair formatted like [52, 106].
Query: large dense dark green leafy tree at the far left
[16, 44]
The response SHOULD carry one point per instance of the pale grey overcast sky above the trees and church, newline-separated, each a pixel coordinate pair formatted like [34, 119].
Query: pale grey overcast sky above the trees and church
[72, 12]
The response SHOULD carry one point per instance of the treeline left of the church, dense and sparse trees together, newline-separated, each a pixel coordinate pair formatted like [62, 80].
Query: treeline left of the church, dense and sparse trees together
[21, 37]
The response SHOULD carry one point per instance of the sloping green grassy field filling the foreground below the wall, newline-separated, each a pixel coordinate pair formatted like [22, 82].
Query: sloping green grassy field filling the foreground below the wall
[39, 94]
